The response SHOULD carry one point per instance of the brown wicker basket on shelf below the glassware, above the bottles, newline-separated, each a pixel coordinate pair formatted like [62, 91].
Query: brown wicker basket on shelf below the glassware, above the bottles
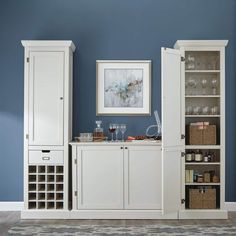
[202, 135]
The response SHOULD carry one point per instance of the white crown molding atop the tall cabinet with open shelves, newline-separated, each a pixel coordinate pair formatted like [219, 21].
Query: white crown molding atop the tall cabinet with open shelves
[200, 43]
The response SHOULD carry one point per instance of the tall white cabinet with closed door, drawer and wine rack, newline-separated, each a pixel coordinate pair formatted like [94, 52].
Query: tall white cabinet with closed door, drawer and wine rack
[47, 124]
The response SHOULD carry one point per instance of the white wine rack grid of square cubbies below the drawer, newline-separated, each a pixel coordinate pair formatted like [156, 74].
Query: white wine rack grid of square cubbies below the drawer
[45, 187]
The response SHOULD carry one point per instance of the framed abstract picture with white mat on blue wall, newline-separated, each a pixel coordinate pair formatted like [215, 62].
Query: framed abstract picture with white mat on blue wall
[123, 87]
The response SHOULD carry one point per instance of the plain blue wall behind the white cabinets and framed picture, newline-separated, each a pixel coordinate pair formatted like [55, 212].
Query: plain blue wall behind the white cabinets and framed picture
[104, 29]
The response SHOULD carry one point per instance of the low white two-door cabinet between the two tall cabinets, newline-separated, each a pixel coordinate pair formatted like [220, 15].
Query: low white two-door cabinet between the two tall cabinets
[117, 177]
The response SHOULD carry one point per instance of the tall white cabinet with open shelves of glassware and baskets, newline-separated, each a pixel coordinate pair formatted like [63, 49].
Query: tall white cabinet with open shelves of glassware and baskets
[203, 100]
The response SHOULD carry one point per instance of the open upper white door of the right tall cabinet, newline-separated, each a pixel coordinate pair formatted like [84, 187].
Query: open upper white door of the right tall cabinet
[171, 98]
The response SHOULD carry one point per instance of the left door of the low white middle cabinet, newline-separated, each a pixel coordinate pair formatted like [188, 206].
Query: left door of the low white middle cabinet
[100, 177]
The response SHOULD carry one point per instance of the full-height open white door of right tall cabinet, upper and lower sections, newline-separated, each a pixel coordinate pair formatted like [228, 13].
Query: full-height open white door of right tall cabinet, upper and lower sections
[172, 144]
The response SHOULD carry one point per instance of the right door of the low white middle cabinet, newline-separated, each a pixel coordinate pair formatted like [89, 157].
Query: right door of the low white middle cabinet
[143, 177]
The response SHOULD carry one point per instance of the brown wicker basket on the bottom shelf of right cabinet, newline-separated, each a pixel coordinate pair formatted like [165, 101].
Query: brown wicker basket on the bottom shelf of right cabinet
[202, 199]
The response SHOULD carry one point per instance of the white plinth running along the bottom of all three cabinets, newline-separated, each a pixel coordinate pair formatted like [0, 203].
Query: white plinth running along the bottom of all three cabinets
[123, 214]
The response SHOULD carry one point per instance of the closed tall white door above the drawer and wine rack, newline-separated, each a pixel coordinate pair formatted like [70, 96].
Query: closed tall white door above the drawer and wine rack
[46, 77]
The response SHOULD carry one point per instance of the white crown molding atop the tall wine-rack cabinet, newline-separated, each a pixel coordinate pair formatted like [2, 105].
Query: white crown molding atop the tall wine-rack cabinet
[48, 43]
